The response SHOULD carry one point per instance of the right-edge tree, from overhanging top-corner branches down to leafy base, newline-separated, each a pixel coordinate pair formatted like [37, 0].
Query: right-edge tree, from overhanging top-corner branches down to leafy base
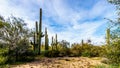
[114, 48]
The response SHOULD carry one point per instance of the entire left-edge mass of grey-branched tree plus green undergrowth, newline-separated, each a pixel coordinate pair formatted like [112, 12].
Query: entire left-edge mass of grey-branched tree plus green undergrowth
[14, 37]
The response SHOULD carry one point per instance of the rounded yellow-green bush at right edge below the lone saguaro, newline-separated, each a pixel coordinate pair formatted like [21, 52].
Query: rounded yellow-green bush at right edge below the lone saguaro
[113, 52]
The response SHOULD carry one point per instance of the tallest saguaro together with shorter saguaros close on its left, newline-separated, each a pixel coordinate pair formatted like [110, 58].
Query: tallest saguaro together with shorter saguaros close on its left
[38, 35]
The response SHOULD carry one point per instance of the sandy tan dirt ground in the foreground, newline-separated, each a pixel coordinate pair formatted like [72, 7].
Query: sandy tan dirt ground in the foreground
[65, 62]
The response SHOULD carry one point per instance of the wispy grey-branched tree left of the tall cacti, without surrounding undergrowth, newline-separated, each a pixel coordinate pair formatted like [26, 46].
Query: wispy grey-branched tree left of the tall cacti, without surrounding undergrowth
[15, 35]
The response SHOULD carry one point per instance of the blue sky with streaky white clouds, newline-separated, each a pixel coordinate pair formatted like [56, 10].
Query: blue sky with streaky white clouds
[72, 20]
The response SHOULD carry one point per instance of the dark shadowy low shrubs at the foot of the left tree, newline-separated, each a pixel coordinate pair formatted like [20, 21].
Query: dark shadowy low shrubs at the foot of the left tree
[28, 55]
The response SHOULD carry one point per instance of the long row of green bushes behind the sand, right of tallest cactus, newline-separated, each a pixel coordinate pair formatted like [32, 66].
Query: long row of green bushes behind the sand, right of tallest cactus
[76, 50]
